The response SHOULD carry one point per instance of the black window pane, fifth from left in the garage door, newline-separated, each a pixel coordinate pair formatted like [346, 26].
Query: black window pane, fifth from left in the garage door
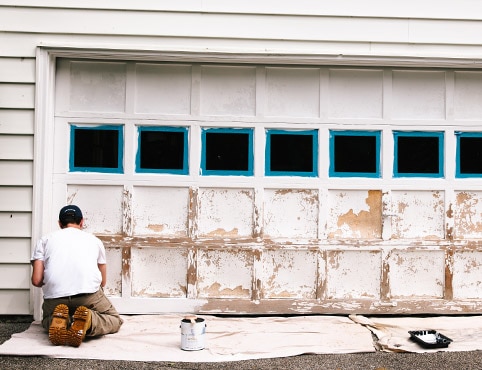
[354, 153]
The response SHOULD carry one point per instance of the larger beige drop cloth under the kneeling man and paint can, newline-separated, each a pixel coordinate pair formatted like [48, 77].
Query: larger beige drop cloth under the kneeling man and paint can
[158, 338]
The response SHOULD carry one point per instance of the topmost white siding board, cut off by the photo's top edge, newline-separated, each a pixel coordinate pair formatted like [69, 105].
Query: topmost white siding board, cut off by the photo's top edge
[351, 8]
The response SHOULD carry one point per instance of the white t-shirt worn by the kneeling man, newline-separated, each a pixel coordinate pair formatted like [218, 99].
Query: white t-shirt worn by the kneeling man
[70, 259]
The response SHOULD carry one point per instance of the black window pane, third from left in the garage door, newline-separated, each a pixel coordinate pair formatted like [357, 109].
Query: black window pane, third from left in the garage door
[227, 151]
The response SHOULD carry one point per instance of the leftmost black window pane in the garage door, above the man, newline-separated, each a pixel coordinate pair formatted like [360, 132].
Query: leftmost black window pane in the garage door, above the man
[96, 148]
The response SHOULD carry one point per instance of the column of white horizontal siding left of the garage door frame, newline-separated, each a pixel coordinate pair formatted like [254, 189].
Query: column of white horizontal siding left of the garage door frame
[17, 95]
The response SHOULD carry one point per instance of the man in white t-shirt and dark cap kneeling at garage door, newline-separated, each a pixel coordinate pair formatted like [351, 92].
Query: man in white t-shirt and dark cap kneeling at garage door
[70, 267]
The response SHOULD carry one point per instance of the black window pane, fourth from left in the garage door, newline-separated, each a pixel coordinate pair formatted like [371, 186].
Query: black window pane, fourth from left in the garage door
[291, 153]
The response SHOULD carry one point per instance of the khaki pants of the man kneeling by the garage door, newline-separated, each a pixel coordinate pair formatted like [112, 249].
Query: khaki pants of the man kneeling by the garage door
[105, 319]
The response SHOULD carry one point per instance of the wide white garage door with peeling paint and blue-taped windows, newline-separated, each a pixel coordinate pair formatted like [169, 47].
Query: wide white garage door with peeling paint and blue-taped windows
[275, 189]
